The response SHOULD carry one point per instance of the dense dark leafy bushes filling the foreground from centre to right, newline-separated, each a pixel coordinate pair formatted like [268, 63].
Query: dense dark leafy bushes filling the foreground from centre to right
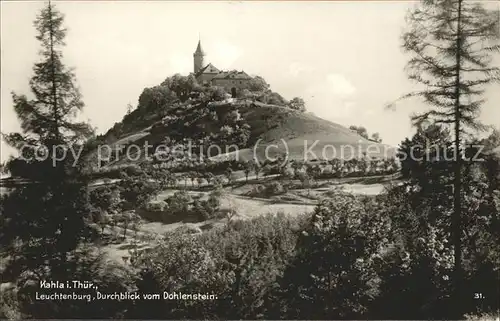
[379, 258]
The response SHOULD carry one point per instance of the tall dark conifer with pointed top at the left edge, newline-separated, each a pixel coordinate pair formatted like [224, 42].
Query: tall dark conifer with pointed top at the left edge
[43, 222]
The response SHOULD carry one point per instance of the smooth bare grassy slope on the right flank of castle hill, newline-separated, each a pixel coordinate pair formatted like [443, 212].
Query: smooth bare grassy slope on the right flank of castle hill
[282, 130]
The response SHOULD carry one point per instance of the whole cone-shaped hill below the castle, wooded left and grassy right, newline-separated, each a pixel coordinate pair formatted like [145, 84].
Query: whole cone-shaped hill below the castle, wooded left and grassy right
[180, 109]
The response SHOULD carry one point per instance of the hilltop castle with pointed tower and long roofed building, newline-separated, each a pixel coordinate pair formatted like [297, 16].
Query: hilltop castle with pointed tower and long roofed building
[209, 74]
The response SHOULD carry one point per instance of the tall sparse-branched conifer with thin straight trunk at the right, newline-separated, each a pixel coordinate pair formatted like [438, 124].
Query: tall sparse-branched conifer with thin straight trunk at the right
[452, 43]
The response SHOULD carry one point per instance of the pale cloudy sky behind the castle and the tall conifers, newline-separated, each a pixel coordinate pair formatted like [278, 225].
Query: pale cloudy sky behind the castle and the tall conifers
[343, 58]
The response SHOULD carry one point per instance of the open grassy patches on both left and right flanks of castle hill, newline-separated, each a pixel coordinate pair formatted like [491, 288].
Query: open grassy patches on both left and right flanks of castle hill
[271, 127]
